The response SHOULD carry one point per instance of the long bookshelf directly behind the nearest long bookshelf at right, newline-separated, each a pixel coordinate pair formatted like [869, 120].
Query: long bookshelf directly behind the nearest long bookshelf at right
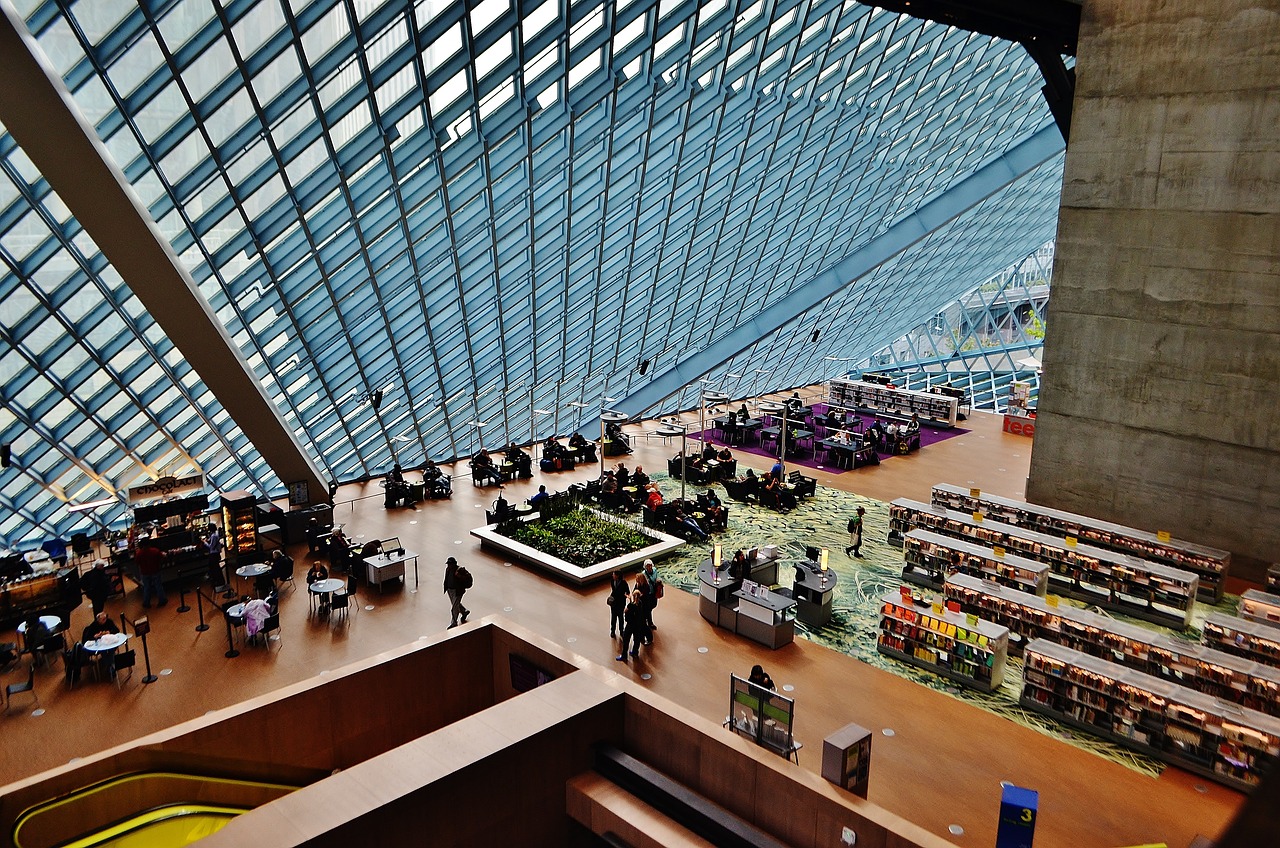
[1200, 668]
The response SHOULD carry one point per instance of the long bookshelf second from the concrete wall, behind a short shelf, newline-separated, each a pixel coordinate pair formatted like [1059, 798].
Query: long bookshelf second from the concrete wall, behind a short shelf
[1113, 581]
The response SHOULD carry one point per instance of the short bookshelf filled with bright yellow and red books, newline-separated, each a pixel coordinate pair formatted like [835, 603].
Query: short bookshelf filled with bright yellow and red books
[959, 648]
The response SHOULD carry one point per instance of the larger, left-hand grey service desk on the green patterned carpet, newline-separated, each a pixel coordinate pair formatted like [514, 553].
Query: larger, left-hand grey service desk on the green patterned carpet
[767, 617]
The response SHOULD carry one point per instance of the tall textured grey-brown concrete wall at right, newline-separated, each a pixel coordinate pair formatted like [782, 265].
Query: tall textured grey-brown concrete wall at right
[1160, 404]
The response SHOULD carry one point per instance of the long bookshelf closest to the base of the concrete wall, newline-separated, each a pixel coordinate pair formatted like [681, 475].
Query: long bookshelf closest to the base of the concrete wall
[1210, 564]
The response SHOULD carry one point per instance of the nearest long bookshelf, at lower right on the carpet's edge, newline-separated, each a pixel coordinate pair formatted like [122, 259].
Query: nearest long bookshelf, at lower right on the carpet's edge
[1224, 742]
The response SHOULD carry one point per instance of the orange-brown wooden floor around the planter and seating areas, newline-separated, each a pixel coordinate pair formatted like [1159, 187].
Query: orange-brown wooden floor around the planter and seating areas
[941, 767]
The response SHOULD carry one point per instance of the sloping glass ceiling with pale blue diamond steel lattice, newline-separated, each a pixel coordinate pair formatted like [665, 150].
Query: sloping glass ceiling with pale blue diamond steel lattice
[482, 209]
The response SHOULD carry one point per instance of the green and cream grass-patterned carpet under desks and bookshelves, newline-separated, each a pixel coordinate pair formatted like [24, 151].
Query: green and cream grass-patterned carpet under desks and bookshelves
[822, 523]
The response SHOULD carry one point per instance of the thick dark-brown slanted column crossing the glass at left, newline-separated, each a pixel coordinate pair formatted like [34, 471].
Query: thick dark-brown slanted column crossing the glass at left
[40, 115]
